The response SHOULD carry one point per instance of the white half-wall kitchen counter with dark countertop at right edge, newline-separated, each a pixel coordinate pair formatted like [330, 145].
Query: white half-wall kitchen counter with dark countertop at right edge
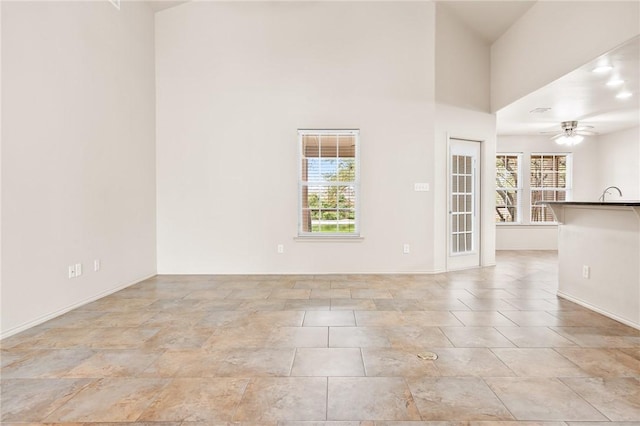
[599, 256]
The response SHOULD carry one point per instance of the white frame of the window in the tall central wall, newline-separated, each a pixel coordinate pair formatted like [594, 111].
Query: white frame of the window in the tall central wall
[356, 184]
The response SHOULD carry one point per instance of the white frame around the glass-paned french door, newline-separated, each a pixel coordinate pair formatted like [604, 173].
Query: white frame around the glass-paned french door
[479, 203]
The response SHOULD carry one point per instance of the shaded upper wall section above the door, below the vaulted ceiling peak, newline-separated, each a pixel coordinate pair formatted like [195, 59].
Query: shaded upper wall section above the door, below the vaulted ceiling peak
[462, 64]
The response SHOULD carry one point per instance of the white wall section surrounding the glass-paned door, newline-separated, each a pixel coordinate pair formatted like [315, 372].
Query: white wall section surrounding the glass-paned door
[464, 124]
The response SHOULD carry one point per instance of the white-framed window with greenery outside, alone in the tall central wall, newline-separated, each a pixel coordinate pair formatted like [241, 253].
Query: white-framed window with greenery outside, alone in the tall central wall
[328, 182]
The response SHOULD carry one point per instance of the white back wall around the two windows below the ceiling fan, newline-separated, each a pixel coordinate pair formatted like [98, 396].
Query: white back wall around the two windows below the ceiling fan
[585, 188]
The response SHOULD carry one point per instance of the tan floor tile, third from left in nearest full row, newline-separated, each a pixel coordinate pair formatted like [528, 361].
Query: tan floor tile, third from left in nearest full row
[196, 400]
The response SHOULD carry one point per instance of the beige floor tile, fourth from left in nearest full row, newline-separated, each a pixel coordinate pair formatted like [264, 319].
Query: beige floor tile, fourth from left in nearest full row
[284, 398]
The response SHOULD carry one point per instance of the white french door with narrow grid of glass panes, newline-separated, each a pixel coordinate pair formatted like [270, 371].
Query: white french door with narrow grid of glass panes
[464, 204]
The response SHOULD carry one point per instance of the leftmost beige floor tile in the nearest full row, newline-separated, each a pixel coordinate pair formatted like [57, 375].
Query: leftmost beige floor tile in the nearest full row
[25, 400]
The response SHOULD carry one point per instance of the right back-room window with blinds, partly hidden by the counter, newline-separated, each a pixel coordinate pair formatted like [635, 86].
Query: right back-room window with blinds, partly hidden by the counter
[550, 181]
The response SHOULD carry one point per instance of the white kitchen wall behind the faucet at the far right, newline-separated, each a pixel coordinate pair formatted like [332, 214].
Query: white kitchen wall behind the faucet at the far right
[619, 163]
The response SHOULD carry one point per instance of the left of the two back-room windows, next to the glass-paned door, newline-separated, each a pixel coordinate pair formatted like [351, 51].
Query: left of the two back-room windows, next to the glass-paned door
[508, 188]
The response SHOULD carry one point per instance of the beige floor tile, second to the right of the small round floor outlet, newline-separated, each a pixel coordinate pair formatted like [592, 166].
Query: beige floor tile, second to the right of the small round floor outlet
[538, 362]
